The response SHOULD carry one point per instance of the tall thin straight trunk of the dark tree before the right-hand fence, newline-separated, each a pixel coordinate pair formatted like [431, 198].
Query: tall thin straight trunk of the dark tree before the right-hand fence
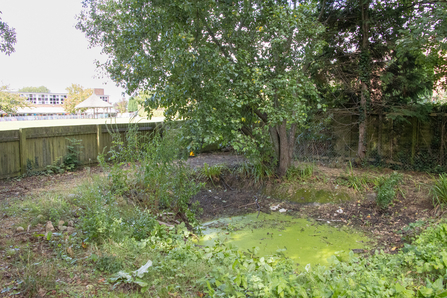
[364, 78]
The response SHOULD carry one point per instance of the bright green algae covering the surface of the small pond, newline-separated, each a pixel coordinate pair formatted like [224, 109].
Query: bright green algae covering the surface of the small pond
[306, 241]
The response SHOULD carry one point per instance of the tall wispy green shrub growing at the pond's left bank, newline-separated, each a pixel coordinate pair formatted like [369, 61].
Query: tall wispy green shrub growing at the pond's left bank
[162, 180]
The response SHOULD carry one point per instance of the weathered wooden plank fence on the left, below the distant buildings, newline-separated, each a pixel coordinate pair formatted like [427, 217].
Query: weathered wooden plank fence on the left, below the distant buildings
[35, 148]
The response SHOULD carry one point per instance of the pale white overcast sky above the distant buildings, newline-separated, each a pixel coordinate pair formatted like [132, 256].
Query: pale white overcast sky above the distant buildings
[50, 51]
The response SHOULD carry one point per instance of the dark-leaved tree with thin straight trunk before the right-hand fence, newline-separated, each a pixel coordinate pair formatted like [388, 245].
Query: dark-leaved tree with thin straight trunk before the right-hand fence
[362, 65]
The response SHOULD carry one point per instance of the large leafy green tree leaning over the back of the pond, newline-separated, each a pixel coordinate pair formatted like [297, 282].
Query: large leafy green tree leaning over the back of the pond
[235, 71]
